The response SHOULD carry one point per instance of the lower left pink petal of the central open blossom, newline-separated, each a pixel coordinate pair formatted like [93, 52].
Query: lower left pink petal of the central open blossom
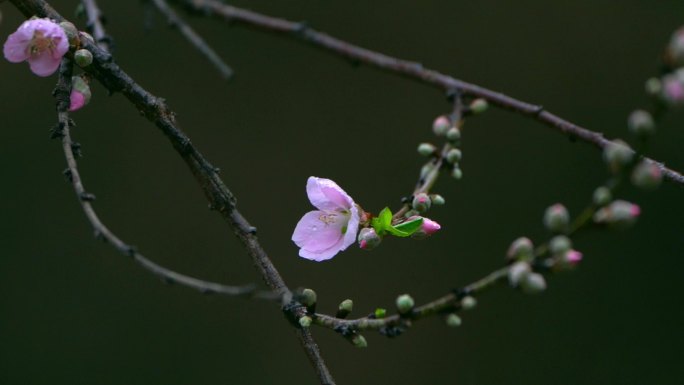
[318, 231]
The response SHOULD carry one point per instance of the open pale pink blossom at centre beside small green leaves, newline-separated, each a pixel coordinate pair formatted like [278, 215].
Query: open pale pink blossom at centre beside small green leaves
[322, 233]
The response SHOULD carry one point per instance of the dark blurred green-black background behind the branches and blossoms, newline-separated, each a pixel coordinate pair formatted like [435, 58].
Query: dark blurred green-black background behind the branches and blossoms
[73, 311]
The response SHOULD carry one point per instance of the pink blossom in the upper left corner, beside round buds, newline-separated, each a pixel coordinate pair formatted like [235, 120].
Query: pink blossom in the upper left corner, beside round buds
[40, 41]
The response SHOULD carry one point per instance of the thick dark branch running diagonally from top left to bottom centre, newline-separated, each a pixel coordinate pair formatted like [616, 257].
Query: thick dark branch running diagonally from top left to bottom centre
[219, 196]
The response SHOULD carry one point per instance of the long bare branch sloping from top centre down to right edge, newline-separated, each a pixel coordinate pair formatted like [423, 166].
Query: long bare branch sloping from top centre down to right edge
[413, 70]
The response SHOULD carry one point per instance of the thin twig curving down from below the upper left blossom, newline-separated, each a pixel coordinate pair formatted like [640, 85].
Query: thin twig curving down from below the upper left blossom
[62, 130]
